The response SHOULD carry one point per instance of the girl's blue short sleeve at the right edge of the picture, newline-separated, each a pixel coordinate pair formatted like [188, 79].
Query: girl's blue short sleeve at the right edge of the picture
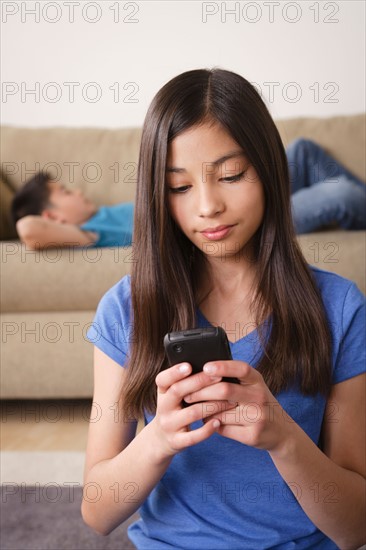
[351, 357]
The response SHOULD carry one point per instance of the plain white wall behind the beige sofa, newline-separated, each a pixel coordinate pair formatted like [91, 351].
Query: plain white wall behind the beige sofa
[307, 57]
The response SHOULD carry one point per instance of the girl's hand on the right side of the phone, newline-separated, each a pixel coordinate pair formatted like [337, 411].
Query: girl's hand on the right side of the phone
[258, 419]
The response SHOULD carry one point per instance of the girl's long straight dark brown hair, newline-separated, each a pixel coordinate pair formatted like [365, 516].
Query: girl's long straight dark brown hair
[163, 278]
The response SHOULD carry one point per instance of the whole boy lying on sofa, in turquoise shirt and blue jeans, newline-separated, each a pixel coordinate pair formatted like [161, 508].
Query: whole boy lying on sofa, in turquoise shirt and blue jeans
[323, 193]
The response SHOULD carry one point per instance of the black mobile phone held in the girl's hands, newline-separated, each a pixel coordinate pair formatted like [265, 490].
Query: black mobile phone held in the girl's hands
[198, 346]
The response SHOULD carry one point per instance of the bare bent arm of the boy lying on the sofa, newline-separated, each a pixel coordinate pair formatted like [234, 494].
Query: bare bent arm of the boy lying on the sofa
[37, 232]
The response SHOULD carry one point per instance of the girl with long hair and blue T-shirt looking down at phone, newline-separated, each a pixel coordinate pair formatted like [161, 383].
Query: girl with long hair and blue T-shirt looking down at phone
[275, 461]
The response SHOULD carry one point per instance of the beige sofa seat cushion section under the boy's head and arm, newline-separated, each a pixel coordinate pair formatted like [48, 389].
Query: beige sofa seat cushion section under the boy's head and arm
[58, 279]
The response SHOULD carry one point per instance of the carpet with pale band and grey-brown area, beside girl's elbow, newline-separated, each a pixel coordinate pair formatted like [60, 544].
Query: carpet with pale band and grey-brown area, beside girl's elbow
[41, 496]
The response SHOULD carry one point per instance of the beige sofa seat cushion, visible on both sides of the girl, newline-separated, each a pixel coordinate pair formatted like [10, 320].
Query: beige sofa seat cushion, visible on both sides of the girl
[76, 279]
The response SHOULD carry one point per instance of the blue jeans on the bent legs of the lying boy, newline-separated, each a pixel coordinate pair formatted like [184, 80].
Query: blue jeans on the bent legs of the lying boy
[323, 191]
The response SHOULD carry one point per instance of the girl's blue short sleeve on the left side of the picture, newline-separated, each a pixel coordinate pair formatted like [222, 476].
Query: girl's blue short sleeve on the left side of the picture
[111, 328]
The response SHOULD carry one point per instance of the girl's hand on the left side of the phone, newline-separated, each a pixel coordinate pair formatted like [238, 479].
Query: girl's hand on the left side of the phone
[172, 420]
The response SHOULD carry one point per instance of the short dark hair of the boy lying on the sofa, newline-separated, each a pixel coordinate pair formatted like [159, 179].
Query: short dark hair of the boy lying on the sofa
[32, 198]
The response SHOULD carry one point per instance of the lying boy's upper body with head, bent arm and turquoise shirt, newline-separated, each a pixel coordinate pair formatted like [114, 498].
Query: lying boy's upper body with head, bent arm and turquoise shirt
[46, 214]
